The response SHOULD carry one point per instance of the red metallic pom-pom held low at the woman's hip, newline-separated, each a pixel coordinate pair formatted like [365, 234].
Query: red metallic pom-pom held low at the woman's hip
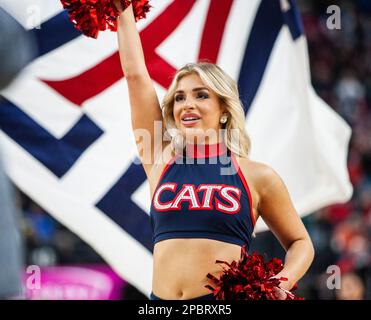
[249, 279]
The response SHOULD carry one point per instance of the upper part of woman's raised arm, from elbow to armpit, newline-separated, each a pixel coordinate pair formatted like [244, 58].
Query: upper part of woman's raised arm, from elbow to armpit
[145, 114]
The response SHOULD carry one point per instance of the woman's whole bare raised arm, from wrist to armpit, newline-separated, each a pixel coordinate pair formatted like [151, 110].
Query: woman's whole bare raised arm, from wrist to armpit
[144, 104]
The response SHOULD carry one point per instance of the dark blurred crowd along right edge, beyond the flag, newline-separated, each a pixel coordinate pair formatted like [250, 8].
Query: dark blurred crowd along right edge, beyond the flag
[341, 74]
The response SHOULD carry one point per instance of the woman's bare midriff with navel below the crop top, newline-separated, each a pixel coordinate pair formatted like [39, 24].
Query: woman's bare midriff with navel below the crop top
[180, 266]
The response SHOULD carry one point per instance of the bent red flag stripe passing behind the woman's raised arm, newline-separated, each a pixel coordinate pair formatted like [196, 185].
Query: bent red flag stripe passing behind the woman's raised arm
[95, 80]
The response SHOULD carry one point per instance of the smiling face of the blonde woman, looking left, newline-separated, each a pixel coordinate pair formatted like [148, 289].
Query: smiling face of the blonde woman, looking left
[197, 110]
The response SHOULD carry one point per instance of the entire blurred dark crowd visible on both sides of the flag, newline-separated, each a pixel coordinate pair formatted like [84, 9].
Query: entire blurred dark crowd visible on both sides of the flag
[341, 74]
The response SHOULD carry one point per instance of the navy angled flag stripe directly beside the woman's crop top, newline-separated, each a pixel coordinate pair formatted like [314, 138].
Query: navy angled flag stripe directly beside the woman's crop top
[117, 205]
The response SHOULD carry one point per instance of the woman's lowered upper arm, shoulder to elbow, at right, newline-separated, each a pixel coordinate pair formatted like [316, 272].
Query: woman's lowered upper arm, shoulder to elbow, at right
[277, 210]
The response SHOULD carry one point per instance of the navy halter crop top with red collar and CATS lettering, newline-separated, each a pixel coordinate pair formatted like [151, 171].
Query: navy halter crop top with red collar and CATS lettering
[202, 193]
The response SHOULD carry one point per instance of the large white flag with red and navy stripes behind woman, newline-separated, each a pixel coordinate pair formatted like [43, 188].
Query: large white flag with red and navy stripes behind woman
[66, 126]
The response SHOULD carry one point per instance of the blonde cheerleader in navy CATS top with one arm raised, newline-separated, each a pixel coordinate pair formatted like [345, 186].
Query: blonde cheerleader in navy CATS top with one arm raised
[206, 193]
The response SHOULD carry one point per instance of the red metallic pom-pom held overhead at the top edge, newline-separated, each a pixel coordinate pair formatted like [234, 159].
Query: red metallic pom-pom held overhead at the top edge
[92, 16]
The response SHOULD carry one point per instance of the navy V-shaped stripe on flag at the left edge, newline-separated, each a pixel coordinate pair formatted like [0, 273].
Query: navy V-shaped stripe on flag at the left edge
[58, 155]
